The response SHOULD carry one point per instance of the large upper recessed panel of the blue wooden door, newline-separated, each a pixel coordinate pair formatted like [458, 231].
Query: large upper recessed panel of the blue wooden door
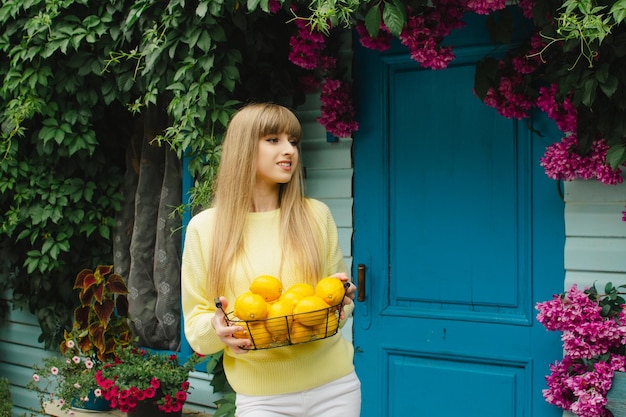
[470, 180]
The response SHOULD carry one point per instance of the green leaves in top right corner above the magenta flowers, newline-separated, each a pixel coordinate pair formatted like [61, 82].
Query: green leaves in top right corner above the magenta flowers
[588, 62]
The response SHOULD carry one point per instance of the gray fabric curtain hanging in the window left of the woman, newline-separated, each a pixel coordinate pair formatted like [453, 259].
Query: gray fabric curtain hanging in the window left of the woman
[147, 241]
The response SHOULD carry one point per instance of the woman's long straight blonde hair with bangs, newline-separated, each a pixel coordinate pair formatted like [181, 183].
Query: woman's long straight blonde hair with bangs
[233, 196]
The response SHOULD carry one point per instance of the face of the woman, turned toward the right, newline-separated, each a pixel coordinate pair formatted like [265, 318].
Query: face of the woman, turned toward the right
[277, 159]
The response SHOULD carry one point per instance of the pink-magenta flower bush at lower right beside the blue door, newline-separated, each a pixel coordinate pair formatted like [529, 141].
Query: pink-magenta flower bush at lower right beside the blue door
[594, 350]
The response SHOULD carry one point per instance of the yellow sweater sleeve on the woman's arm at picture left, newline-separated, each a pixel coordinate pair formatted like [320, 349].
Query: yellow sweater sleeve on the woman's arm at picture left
[197, 305]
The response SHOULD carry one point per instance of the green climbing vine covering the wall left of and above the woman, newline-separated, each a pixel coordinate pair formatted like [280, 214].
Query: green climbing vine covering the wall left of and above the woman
[77, 76]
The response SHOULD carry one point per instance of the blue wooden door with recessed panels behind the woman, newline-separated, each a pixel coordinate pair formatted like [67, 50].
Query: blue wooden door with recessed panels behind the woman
[460, 233]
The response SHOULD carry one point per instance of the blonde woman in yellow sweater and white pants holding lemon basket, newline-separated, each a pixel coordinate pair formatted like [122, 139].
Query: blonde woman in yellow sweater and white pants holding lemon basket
[261, 223]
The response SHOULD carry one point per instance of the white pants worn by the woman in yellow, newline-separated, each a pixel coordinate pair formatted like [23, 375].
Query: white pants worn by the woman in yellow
[339, 398]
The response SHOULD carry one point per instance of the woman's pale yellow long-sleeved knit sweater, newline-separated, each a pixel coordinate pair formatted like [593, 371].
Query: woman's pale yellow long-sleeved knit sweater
[268, 371]
